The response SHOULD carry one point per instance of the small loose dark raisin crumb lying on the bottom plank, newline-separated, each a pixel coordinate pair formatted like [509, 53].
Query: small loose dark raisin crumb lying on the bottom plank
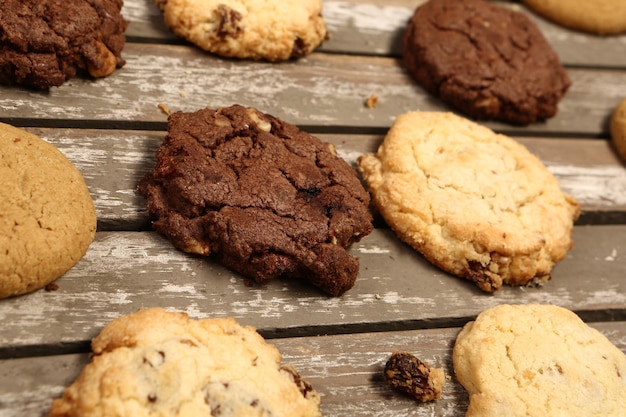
[409, 375]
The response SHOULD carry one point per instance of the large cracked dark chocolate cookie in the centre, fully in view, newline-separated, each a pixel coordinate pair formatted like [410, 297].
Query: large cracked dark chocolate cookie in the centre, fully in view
[264, 197]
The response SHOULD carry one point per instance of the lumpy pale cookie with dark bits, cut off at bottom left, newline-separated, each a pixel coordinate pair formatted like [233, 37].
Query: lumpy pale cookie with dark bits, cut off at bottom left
[159, 363]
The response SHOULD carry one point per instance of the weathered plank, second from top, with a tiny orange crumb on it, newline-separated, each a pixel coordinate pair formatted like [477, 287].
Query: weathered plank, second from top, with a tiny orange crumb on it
[320, 90]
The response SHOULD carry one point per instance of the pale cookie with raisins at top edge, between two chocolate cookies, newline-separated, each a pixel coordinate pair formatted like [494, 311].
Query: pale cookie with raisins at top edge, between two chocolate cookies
[273, 30]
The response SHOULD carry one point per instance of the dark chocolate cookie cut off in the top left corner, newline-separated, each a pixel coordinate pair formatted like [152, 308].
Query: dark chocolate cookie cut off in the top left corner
[44, 43]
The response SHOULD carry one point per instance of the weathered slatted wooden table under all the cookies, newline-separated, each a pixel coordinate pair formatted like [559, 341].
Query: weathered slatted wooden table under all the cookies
[110, 129]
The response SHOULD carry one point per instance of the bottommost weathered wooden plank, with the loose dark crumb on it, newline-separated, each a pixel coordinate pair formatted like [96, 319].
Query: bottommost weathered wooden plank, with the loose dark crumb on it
[345, 369]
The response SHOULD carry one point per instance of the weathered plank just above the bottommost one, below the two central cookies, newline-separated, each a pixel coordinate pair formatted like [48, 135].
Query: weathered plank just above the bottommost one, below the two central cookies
[396, 289]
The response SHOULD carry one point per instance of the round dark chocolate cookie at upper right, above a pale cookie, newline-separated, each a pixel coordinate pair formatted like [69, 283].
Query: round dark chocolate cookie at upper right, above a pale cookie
[487, 61]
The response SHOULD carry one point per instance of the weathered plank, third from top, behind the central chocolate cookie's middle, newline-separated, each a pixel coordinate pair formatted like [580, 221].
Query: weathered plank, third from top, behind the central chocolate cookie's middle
[114, 161]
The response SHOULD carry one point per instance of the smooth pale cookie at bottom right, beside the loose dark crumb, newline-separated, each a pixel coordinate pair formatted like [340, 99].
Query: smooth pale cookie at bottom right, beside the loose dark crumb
[538, 360]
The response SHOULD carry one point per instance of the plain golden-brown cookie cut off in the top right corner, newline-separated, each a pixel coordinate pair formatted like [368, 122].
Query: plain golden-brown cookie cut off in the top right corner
[599, 17]
